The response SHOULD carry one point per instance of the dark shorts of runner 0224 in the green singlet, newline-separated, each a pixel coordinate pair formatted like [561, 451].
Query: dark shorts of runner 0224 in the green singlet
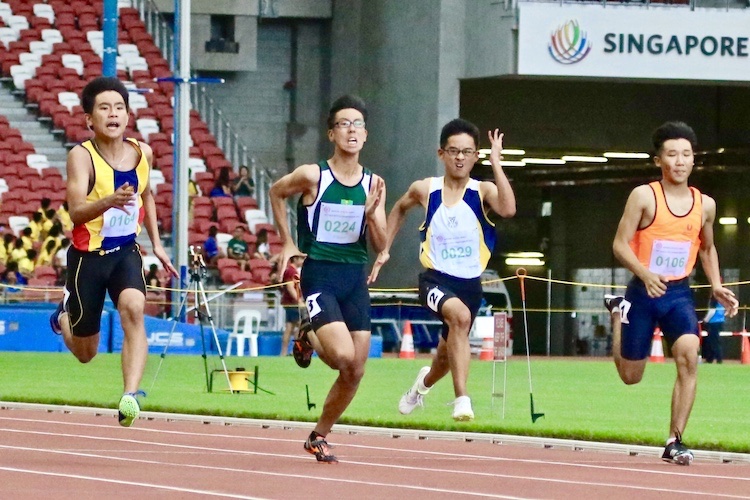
[334, 292]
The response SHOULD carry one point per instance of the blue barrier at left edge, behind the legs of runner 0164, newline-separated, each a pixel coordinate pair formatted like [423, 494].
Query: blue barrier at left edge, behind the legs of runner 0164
[25, 327]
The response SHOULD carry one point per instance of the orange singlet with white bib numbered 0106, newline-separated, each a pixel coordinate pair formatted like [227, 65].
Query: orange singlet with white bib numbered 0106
[669, 245]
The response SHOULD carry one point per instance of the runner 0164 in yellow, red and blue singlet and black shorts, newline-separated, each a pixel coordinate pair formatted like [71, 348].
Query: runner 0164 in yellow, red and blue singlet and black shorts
[105, 256]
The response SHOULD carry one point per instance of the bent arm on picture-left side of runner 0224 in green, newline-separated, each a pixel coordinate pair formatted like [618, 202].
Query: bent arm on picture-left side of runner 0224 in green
[303, 181]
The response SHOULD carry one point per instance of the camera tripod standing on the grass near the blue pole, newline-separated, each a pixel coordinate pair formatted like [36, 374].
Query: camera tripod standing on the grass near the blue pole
[201, 311]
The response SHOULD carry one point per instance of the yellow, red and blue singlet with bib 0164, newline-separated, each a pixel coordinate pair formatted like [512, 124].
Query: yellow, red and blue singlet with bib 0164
[115, 227]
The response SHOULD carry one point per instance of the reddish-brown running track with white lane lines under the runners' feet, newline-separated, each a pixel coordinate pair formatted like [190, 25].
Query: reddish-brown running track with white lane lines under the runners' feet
[78, 453]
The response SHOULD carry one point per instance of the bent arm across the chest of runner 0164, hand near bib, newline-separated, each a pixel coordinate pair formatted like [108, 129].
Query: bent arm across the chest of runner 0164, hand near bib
[80, 171]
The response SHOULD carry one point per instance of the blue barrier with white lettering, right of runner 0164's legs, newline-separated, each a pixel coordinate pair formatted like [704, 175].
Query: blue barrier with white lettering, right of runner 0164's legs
[185, 339]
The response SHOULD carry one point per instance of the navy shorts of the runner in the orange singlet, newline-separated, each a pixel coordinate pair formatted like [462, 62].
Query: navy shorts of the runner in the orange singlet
[674, 312]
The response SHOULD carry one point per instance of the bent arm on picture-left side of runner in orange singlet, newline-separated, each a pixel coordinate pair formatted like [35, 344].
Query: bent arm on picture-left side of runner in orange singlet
[638, 209]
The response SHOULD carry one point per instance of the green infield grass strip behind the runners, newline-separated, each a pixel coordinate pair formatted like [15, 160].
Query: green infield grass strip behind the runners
[581, 398]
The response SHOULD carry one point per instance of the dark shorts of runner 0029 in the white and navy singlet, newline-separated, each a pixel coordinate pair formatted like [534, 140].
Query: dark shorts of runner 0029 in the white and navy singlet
[436, 287]
